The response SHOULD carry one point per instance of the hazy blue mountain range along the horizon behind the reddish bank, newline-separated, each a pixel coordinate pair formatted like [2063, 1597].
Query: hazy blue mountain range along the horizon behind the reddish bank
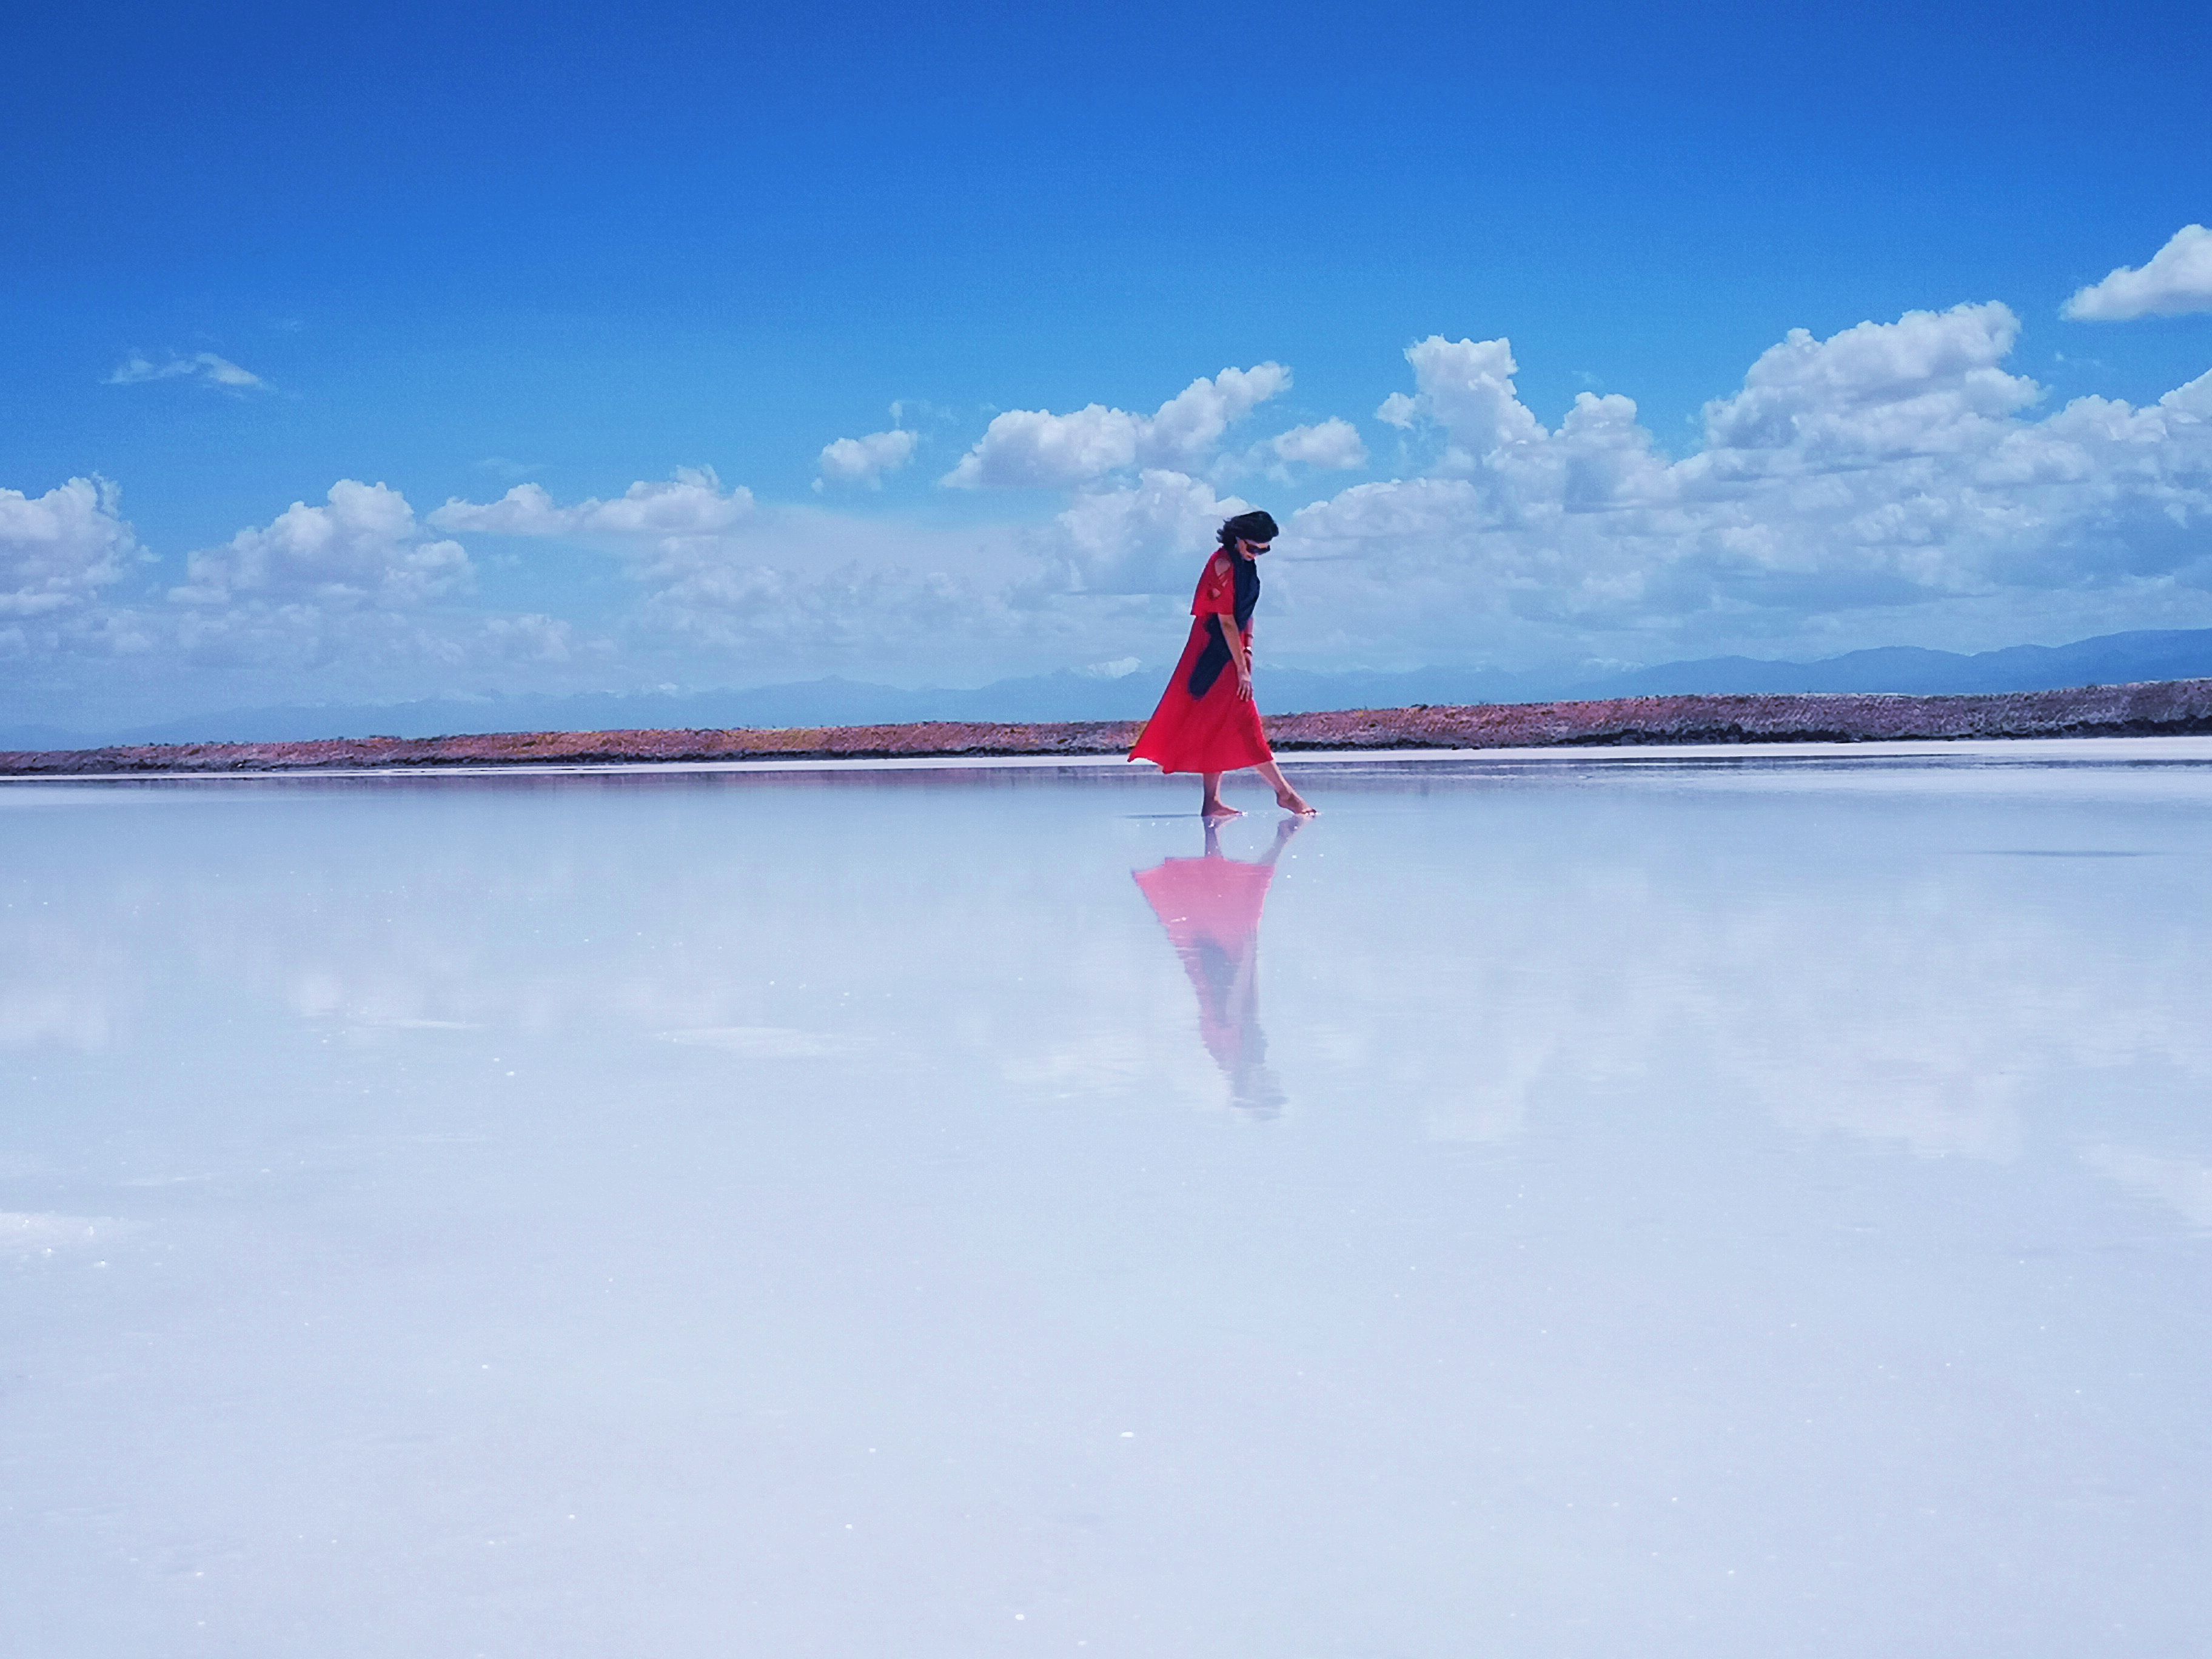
[2109, 660]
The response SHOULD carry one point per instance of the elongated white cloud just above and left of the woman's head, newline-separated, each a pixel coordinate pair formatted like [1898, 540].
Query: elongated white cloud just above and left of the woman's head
[1039, 450]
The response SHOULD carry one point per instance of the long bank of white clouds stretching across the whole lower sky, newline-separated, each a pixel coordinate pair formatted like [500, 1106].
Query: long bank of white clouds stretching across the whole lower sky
[1895, 483]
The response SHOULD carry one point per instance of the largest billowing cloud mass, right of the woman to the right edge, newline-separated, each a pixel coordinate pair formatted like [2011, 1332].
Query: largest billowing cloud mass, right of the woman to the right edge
[1890, 466]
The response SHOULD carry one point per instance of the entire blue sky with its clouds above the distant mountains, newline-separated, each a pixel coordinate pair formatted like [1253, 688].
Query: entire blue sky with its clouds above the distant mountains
[647, 267]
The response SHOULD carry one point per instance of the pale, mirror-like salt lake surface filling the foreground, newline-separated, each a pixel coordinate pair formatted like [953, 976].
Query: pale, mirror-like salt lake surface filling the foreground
[1578, 1204]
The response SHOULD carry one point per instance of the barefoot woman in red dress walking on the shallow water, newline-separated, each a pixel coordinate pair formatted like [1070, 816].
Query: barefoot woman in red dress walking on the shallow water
[1207, 720]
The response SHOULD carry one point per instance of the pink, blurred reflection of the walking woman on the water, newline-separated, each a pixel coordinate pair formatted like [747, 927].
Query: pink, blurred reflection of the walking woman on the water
[1211, 910]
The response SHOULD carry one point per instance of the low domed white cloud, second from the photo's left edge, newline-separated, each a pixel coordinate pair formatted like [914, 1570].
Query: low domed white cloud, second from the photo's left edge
[364, 547]
